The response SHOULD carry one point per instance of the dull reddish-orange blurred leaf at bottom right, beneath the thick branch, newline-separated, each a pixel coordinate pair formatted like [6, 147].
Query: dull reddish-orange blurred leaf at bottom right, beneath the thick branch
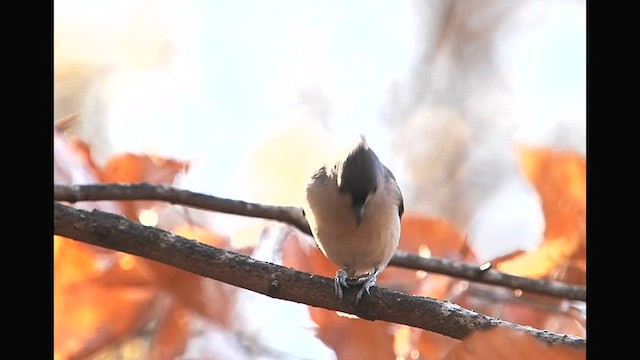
[503, 343]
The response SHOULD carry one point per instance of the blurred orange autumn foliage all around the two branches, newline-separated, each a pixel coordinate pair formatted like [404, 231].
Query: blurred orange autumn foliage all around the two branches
[107, 302]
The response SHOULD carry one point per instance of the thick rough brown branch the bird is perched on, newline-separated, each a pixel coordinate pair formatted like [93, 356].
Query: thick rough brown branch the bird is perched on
[117, 233]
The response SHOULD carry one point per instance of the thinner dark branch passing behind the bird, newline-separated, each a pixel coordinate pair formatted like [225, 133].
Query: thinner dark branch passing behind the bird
[293, 216]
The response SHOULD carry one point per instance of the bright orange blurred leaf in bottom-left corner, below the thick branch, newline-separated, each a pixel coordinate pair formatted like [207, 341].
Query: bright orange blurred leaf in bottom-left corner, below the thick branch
[89, 312]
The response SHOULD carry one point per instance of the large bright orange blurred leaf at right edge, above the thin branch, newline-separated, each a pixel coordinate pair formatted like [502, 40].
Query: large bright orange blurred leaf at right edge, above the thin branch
[560, 179]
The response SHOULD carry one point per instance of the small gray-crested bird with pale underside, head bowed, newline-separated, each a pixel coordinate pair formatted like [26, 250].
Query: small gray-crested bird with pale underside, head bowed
[354, 207]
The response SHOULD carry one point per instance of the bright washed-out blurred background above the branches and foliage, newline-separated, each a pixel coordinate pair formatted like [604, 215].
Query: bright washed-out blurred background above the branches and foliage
[443, 97]
